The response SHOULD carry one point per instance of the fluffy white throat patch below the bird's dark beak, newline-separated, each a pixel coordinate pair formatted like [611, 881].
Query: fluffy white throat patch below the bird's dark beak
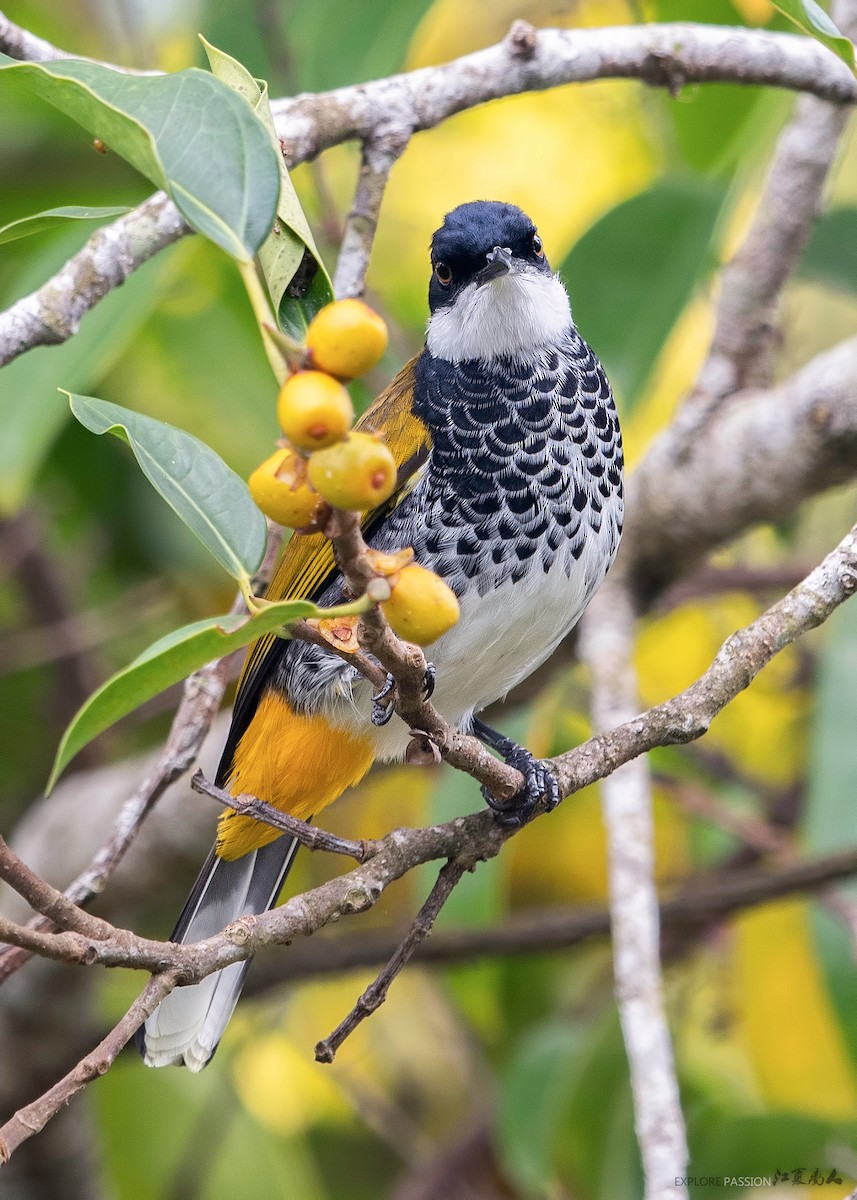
[517, 314]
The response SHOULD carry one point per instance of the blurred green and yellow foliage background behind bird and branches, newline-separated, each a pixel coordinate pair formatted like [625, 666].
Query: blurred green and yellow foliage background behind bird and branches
[506, 1077]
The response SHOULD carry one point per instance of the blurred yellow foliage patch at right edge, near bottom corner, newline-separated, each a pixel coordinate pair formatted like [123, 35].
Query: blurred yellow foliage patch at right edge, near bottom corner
[786, 1017]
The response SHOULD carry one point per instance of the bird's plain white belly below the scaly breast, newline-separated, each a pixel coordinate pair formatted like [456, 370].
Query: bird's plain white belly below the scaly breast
[500, 640]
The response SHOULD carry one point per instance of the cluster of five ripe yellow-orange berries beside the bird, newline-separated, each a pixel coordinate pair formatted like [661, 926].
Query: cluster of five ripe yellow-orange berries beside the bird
[325, 460]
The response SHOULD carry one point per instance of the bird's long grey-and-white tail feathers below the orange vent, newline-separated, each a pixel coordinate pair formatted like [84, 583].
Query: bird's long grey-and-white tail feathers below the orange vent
[188, 1025]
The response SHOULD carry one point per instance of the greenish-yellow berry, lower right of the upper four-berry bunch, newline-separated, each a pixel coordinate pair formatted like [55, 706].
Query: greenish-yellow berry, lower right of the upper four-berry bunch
[357, 473]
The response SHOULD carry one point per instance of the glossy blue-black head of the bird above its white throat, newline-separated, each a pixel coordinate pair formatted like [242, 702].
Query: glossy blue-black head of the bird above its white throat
[481, 242]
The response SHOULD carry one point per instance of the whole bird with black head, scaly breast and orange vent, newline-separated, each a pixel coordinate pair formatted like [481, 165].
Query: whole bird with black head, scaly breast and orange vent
[511, 488]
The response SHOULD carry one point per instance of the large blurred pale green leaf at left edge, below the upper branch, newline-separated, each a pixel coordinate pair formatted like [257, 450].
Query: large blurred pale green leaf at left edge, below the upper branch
[32, 415]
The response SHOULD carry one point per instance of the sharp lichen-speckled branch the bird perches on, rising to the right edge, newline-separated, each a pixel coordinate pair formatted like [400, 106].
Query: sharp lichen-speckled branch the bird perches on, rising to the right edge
[466, 839]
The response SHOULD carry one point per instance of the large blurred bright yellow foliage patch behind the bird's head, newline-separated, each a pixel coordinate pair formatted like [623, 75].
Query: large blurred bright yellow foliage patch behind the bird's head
[517, 149]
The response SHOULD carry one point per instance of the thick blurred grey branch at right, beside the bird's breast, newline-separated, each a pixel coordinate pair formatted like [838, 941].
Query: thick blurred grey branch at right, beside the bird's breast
[763, 455]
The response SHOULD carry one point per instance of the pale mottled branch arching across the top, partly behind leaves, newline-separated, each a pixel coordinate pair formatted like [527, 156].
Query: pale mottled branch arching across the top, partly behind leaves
[386, 113]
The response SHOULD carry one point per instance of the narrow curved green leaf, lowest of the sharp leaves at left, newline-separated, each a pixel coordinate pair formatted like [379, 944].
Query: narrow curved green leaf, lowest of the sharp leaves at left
[167, 663]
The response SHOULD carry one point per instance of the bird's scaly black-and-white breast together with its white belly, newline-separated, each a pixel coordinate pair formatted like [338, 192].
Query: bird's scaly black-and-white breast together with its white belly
[519, 509]
